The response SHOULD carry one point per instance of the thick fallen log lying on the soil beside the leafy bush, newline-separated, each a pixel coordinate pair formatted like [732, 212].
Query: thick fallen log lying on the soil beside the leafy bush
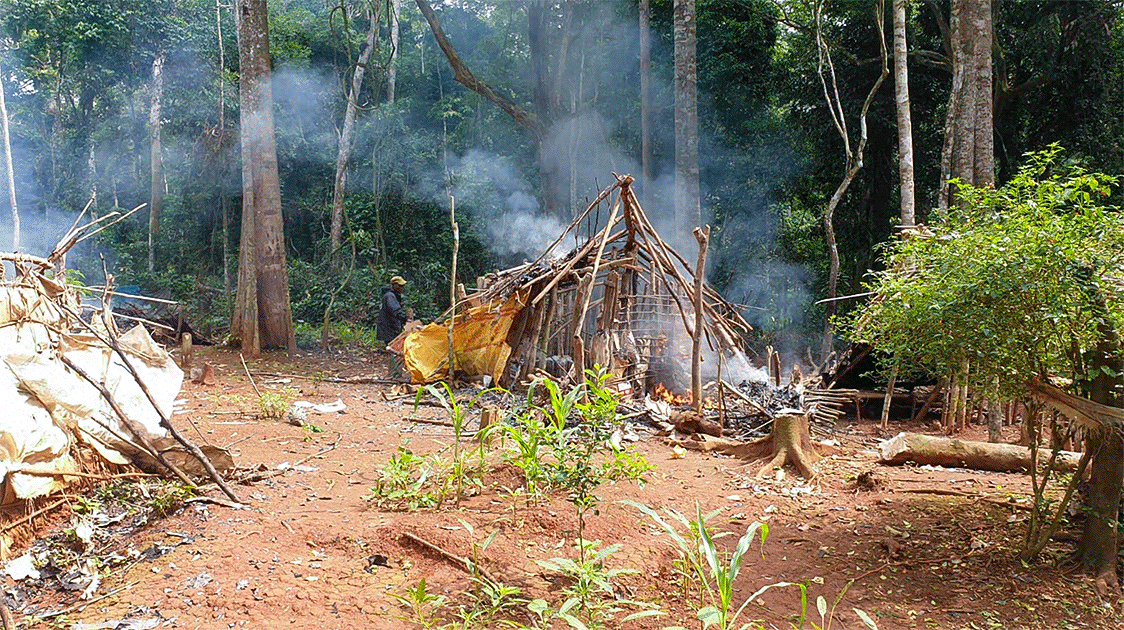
[962, 454]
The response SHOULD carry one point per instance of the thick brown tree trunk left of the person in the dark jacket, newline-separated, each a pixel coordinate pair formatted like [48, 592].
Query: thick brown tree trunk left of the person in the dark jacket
[259, 154]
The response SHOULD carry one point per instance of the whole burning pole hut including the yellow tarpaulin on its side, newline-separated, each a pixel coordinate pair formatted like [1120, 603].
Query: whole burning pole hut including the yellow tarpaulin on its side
[623, 300]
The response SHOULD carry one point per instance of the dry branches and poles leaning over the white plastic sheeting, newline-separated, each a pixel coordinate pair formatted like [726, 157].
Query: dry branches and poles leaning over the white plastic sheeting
[40, 294]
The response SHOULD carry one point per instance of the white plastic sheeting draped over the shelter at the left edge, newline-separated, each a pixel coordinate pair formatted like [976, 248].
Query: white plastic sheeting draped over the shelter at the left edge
[47, 409]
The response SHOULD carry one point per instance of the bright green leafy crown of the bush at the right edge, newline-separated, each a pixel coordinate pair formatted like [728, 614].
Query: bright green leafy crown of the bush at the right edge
[1005, 282]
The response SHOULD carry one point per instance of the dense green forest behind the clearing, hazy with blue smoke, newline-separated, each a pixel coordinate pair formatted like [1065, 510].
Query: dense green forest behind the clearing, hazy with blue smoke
[81, 78]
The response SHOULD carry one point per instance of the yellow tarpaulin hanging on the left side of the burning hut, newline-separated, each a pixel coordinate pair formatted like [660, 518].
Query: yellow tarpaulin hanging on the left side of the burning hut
[479, 344]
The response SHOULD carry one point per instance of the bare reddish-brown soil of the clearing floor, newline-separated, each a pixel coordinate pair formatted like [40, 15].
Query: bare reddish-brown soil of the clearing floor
[920, 547]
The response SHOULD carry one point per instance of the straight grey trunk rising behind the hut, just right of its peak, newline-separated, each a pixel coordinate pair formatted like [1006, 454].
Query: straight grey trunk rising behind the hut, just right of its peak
[688, 209]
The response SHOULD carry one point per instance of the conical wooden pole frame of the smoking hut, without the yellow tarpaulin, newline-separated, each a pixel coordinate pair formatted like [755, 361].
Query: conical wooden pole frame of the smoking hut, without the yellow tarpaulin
[618, 301]
